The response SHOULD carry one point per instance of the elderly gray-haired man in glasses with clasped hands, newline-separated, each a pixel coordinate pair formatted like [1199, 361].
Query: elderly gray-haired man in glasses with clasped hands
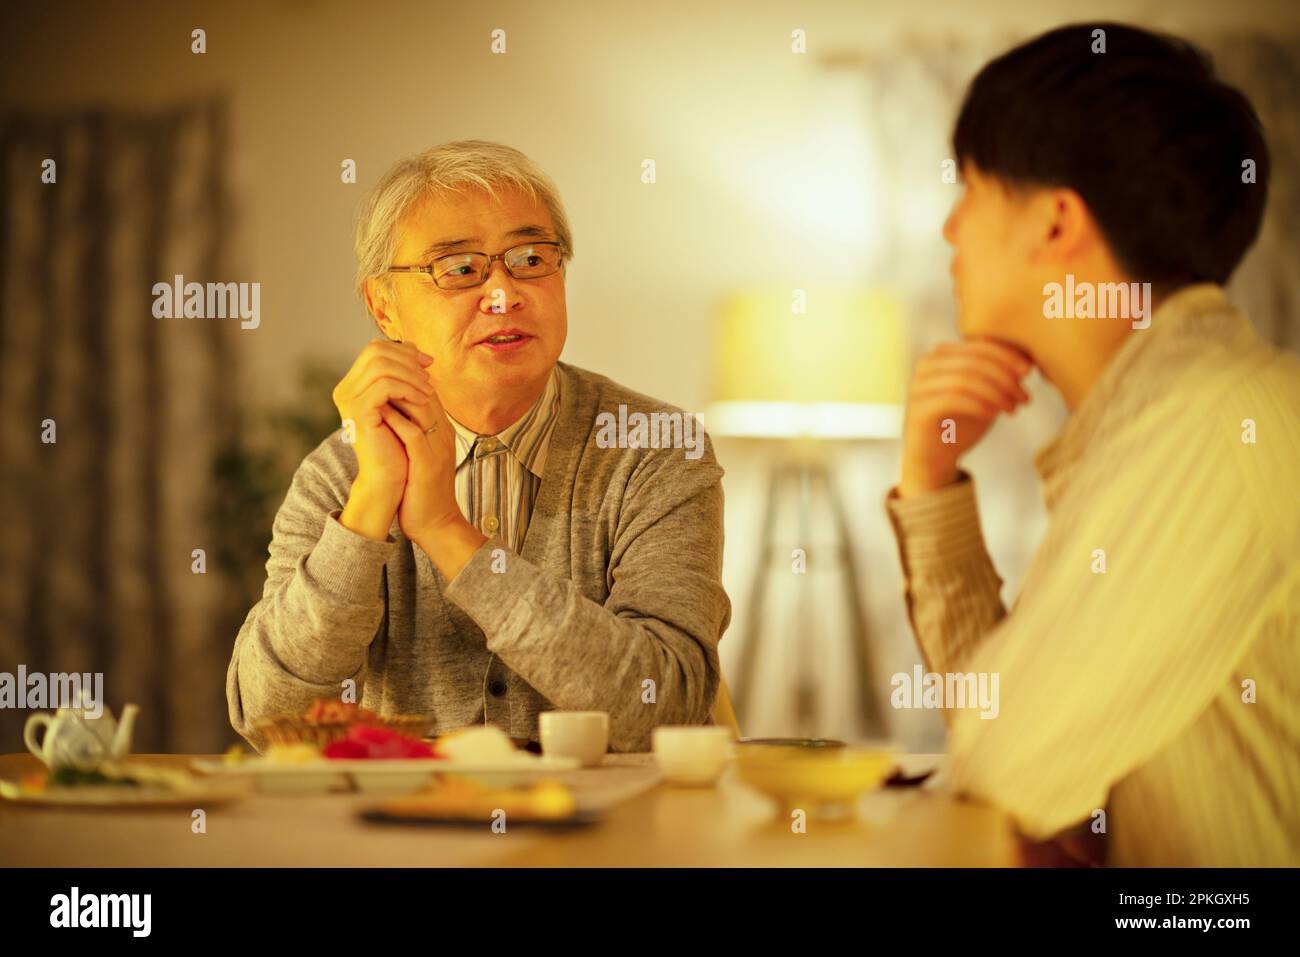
[476, 543]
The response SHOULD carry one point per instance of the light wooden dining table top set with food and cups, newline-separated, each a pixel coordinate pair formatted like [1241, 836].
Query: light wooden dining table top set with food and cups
[647, 824]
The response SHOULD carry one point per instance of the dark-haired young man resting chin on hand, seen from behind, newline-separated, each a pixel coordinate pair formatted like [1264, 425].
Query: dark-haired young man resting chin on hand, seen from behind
[1150, 670]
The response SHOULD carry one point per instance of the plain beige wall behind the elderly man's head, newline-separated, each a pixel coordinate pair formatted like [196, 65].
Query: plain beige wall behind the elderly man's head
[590, 90]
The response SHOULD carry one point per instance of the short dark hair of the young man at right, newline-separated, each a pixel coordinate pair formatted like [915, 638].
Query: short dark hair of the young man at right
[1146, 133]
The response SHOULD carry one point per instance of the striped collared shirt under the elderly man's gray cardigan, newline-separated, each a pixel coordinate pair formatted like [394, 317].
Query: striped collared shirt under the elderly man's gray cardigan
[499, 477]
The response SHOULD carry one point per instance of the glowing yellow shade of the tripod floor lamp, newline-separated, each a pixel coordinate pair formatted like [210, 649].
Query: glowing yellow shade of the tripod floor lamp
[827, 363]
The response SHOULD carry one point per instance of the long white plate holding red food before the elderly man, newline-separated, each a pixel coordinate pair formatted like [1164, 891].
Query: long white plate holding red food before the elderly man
[387, 777]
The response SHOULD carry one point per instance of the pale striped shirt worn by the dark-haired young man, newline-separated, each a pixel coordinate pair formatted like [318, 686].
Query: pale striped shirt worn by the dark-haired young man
[1150, 669]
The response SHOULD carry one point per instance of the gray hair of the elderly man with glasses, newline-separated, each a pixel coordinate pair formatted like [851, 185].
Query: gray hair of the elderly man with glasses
[448, 168]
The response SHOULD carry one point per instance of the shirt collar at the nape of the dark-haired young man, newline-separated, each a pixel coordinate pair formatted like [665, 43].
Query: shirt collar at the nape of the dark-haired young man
[1112, 395]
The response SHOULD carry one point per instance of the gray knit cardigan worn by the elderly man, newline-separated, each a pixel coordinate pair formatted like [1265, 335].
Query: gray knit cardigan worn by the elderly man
[619, 586]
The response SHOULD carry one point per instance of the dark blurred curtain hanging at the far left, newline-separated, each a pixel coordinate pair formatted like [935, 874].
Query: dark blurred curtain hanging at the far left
[98, 566]
